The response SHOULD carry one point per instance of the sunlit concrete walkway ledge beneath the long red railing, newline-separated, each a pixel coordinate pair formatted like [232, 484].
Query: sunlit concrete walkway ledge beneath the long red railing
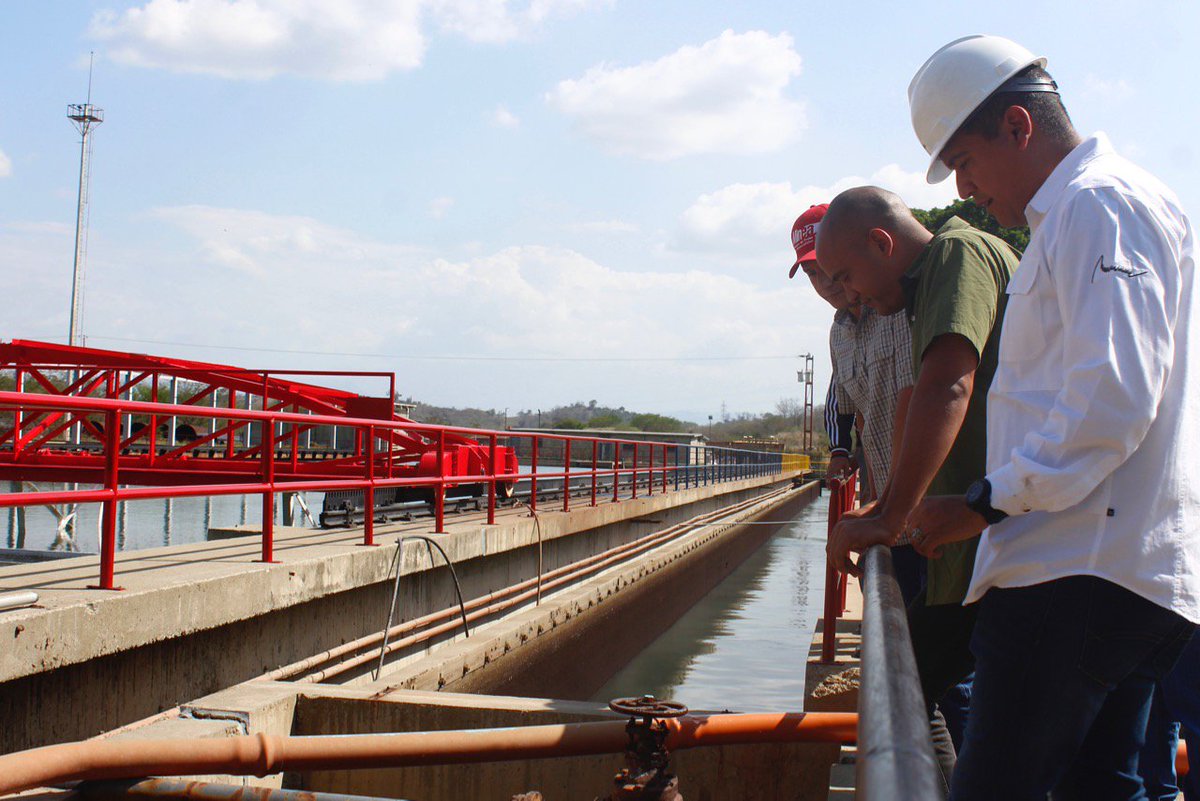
[185, 589]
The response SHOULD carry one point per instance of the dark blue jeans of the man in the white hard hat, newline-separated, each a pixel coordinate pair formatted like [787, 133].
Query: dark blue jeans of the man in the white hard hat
[1065, 672]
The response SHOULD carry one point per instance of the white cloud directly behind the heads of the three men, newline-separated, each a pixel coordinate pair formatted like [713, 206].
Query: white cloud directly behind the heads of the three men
[753, 221]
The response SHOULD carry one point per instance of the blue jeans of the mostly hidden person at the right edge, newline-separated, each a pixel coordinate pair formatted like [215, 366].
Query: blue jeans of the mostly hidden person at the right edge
[1177, 707]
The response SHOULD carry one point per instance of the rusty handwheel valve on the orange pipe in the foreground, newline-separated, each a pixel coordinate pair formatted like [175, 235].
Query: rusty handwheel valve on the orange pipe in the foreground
[646, 776]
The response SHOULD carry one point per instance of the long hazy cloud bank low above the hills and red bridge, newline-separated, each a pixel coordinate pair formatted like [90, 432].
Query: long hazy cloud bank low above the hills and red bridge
[301, 285]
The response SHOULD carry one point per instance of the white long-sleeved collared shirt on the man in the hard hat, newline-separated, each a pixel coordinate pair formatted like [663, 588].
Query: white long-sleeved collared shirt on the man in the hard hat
[1091, 447]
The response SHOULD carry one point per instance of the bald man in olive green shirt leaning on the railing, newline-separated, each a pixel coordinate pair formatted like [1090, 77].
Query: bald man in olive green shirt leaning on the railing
[952, 285]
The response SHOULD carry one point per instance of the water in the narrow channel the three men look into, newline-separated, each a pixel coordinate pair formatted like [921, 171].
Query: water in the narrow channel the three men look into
[746, 645]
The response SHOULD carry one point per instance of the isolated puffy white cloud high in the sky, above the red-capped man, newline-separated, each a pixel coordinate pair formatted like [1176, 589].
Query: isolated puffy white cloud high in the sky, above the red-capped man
[725, 97]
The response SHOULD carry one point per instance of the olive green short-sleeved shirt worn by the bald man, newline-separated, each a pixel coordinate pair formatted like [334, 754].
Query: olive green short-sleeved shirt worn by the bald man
[957, 286]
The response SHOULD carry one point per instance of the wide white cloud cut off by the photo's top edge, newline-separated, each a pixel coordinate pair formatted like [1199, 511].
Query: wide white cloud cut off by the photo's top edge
[349, 40]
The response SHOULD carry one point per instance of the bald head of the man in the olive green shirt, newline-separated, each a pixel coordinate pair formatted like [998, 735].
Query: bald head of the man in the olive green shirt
[867, 242]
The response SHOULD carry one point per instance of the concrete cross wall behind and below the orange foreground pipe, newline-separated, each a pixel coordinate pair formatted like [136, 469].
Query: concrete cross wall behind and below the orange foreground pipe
[767, 773]
